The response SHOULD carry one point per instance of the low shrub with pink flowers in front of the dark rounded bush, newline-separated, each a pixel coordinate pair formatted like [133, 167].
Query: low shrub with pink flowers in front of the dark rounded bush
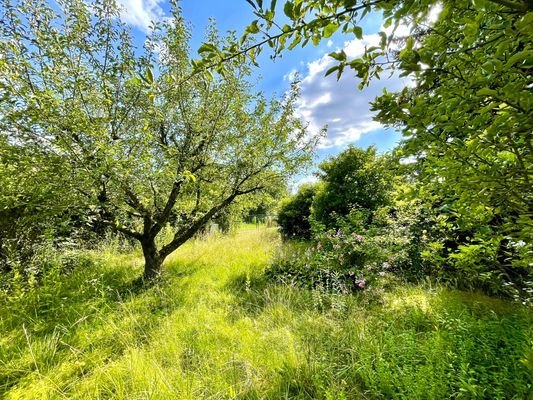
[343, 260]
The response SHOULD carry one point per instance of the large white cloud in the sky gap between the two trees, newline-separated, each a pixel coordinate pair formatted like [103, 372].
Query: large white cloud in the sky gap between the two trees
[339, 104]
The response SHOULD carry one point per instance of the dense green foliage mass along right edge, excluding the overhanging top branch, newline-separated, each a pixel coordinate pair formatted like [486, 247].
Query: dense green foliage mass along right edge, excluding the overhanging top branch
[467, 120]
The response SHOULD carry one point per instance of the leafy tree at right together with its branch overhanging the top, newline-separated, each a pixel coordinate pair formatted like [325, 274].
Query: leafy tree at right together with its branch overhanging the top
[466, 118]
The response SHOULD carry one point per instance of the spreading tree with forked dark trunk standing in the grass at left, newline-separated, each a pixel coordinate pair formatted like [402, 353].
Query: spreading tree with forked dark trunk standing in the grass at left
[143, 141]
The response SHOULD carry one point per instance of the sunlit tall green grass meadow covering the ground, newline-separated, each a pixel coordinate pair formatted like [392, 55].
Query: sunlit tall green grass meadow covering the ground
[214, 328]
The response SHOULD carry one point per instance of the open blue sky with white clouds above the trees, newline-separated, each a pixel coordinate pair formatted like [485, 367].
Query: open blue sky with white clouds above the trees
[324, 101]
